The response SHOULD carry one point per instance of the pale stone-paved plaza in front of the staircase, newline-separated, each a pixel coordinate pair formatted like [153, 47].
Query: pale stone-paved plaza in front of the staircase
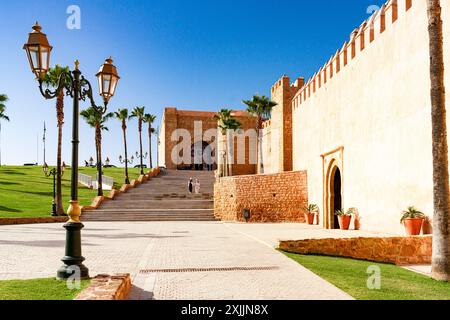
[174, 260]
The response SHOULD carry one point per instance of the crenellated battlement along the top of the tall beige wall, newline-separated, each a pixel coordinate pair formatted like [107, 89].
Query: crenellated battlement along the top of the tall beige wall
[360, 39]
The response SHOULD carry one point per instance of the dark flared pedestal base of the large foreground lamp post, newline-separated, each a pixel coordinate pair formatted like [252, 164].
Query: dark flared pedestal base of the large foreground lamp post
[73, 259]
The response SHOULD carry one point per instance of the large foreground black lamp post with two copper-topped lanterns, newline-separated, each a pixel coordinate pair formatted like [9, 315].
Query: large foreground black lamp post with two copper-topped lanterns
[76, 86]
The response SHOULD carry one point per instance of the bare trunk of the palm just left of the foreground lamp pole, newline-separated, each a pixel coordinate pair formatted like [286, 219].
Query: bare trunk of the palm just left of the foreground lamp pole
[60, 119]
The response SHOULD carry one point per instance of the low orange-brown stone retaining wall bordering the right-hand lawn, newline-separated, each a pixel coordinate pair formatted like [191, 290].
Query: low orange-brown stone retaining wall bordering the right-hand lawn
[395, 250]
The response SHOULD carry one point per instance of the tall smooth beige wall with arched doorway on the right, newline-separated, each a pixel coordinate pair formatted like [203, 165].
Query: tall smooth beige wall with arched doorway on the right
[373, 100]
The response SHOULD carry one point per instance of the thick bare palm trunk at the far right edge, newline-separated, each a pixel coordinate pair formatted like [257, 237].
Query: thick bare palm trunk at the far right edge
[441, 226]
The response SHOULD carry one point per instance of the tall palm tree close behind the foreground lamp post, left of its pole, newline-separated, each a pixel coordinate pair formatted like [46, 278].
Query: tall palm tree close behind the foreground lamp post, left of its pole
[51, 80]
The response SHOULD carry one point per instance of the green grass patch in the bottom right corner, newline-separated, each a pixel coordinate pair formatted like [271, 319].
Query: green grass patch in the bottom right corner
[396, 283]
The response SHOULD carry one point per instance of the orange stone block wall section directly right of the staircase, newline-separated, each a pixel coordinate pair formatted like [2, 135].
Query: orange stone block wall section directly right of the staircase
[270, 198]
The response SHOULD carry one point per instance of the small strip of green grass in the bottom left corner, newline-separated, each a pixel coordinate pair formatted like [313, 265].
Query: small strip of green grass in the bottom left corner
[38, 289]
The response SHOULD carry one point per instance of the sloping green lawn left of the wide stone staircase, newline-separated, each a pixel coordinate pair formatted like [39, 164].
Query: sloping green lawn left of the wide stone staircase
[26, 192]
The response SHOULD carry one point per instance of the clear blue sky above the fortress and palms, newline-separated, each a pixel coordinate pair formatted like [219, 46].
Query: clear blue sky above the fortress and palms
[201, 55]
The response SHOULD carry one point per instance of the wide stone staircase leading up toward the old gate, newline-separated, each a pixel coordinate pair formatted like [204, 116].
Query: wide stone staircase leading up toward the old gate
[164, 198]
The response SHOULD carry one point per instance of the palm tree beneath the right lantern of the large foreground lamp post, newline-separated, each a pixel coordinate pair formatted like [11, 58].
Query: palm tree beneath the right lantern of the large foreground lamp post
[97, 121]
